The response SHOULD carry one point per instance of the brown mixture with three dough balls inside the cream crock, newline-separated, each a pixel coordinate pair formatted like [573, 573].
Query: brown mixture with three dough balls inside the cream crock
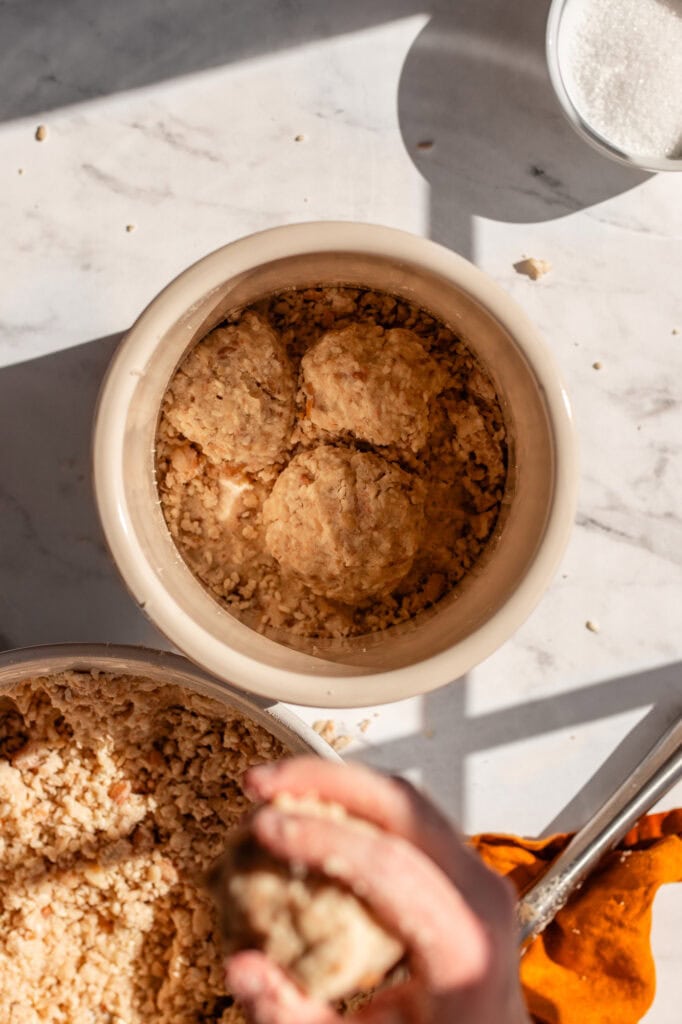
[331, 462]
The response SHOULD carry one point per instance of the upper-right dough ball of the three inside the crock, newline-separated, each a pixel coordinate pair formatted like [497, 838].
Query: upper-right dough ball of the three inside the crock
[376, 385]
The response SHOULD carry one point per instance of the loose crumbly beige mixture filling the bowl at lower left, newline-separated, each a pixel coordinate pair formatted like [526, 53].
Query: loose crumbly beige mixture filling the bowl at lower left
[116, 794]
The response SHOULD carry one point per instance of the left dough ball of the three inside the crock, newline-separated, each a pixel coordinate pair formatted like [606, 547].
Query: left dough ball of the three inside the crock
[234, 395]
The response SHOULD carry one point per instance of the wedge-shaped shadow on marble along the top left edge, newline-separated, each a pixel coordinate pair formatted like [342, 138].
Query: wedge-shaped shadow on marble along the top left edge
[56, 54]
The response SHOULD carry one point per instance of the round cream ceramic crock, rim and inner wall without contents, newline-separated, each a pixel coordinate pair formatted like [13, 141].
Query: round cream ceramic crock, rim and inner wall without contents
[539, 507]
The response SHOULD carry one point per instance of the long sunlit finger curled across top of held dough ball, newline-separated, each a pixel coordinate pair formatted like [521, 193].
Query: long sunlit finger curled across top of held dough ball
[408, 892]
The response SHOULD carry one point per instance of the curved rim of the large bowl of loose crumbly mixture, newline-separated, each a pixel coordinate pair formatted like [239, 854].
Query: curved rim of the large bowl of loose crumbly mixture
[285, 724]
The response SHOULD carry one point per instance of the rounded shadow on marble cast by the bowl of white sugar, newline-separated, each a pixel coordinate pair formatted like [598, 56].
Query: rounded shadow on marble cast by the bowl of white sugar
[482, 123]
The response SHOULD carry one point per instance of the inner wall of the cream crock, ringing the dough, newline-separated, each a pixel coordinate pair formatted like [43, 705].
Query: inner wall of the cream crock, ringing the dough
[527, 505]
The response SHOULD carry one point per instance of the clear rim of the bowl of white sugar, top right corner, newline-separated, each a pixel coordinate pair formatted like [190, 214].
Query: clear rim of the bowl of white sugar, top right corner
[574, 116]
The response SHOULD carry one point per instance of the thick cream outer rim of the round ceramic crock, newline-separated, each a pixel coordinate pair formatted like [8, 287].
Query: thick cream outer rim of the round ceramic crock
[366, 689]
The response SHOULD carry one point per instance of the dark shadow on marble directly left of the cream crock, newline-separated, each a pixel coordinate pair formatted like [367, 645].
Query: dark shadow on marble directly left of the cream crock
[58, 582]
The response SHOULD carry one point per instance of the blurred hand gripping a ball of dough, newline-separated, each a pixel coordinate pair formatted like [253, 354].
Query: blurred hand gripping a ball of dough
[455, 917]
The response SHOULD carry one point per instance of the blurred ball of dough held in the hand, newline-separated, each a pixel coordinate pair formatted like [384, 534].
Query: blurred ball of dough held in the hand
[317, 930]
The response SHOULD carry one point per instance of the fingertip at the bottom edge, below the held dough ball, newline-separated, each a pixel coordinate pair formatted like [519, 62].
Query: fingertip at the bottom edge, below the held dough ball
[269, 997]
